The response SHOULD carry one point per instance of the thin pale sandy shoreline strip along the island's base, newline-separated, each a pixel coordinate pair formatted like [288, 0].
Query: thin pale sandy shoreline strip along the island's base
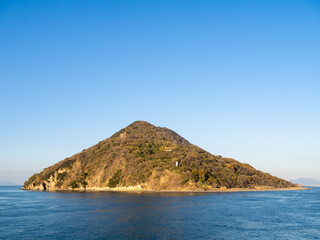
[134, 190]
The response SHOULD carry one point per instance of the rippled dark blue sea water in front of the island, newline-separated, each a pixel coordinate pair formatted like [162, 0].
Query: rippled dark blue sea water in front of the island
[118, 215]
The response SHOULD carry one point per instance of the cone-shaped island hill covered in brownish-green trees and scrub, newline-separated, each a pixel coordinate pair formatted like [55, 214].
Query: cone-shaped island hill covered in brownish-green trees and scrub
[142, 156]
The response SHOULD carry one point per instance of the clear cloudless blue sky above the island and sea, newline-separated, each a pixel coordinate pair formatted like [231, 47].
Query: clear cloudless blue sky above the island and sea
[240, 79]
